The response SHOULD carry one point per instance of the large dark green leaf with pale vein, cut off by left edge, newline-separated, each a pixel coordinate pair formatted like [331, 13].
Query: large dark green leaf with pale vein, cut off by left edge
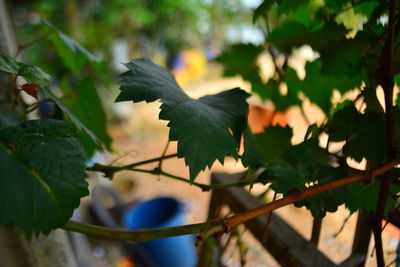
[42, 175]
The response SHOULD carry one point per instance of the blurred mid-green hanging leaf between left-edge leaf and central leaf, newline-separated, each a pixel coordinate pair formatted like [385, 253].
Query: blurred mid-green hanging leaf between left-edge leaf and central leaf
[84, 102]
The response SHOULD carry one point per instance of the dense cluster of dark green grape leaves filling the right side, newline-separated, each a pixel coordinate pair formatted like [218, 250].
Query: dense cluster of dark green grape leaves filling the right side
[349, 43]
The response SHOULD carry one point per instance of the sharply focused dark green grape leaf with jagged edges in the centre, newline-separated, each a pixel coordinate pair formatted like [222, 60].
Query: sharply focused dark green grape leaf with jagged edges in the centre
[207, 129]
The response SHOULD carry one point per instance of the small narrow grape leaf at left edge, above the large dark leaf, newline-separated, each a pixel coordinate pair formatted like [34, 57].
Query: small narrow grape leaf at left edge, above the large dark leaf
[31, 73]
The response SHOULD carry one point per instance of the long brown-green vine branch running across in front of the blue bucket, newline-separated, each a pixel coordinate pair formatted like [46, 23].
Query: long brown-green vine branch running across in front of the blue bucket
[217, 227]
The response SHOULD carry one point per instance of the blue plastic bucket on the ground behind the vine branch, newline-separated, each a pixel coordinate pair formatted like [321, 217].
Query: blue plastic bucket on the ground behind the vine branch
[162, 212]
